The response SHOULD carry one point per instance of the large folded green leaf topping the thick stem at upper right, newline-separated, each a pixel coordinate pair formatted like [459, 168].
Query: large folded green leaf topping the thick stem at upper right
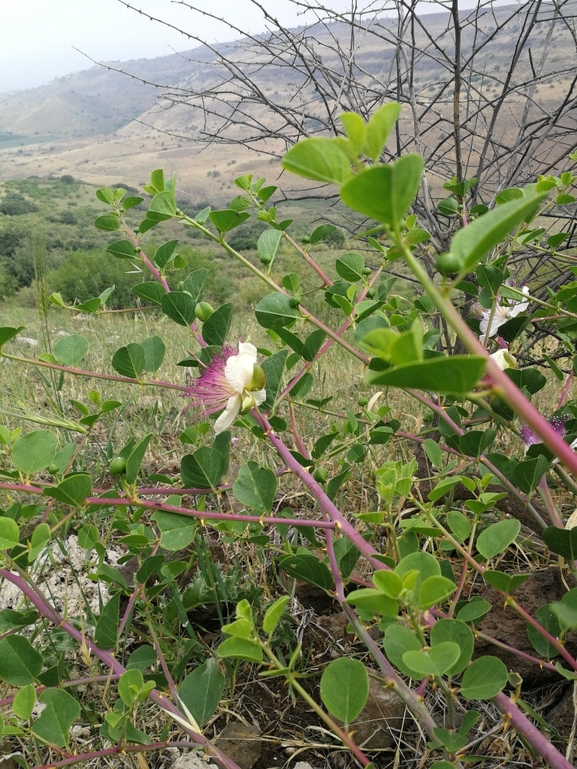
[385, 192]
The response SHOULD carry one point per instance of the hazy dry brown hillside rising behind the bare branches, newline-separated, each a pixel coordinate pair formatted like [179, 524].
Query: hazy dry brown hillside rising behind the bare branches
[117, 120]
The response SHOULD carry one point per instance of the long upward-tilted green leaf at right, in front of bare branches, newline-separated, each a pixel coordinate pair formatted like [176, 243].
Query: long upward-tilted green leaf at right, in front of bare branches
[471, 243]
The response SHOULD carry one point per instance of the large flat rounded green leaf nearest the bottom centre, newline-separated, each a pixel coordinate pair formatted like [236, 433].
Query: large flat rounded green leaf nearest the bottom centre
[345, 688]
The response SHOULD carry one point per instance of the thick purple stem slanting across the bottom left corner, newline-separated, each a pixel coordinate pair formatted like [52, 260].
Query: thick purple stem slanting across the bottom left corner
[47, 611]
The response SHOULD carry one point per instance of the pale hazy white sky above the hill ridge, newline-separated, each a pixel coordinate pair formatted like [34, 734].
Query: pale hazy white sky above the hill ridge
[38, 37]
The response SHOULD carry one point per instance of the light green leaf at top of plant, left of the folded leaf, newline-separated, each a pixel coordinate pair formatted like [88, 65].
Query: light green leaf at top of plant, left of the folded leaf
[319, 159]
